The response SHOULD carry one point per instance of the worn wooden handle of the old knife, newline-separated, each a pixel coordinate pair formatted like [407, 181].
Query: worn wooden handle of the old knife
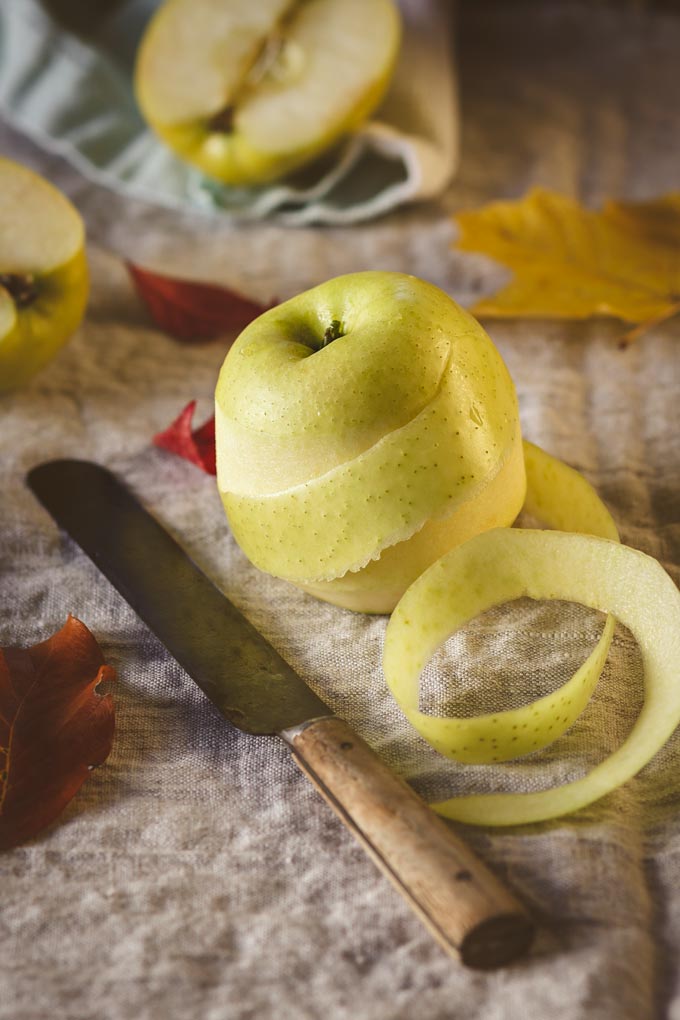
[464, 906]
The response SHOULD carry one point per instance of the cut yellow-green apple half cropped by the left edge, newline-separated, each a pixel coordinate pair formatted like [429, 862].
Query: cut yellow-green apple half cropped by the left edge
[43, 273]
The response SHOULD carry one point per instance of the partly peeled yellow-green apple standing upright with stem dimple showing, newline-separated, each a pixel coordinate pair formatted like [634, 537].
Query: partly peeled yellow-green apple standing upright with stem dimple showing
[348, 469]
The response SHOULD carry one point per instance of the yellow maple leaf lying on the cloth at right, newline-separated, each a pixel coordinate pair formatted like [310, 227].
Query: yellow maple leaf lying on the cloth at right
[571, 263]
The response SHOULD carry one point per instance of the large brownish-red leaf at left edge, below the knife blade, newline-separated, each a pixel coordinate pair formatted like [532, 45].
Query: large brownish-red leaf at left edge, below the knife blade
[54, 728]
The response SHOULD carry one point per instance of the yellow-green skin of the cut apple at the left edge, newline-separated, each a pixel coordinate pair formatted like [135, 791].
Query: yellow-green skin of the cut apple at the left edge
[34, 335]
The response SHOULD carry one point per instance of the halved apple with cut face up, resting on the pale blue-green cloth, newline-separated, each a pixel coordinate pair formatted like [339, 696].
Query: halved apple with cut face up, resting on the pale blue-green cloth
[248, 91]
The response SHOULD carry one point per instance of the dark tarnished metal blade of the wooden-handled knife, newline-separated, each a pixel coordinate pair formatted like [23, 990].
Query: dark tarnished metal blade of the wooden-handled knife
[239, 671]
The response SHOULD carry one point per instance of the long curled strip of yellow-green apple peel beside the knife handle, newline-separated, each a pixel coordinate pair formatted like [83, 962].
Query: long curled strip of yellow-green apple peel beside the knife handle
[504, 565]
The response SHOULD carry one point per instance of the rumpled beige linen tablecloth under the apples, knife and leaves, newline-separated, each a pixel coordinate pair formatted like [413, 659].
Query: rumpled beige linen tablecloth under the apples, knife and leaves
[197, 874]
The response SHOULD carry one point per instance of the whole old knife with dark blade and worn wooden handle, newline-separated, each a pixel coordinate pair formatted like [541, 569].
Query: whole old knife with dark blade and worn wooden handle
[465, 907]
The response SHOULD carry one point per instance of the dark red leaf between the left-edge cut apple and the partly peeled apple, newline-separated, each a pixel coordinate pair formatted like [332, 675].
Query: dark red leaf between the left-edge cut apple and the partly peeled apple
[191, 312]
